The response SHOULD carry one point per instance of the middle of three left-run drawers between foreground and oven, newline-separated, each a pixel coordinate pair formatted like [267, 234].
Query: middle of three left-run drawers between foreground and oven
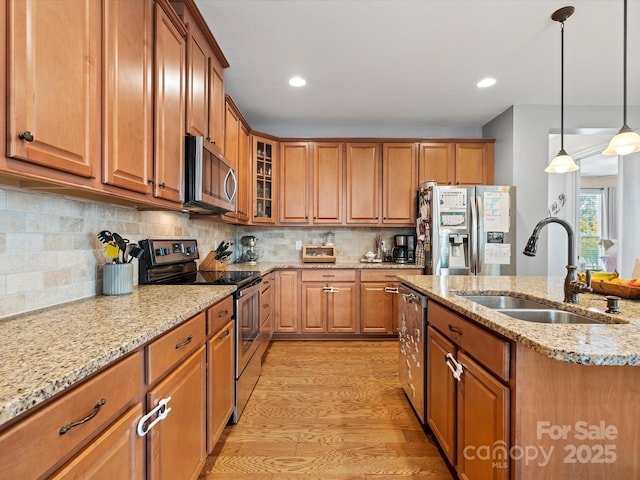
[174, 346]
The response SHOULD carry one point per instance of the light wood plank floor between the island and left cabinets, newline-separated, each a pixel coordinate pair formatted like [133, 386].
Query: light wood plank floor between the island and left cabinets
[327, 410]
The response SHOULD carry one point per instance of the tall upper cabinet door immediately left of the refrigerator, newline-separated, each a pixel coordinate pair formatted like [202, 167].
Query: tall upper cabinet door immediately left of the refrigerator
[399, 183]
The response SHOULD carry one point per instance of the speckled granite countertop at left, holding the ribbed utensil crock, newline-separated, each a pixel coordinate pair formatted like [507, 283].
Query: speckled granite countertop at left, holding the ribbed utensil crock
[46, 351]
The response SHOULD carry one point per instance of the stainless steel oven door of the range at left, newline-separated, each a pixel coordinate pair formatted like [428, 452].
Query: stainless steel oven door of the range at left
[247, 325]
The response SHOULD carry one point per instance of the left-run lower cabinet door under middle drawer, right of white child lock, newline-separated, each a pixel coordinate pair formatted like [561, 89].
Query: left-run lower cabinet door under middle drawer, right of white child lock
[177, 445]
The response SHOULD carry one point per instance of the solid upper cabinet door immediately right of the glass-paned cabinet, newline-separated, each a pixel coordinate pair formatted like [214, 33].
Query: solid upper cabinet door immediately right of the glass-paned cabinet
[294, 178]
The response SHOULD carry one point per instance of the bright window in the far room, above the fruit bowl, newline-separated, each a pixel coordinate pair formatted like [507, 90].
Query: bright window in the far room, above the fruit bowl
[596, 226]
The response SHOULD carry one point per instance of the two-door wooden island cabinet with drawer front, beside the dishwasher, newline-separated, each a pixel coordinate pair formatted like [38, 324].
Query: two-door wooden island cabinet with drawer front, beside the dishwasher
[468, 393]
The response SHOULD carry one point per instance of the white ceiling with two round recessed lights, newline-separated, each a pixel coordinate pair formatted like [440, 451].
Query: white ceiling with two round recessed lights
[377, 64]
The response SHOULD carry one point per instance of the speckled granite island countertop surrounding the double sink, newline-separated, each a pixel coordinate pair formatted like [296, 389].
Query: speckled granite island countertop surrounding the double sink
[616, 342]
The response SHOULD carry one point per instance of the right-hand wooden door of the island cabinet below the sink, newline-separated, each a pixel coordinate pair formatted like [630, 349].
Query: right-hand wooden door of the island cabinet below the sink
[483, 422]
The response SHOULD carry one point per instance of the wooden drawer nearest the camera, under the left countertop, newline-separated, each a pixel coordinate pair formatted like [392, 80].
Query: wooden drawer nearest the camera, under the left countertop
[35, 445]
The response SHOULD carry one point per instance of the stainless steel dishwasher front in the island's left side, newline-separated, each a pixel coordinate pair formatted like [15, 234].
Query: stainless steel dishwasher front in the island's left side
[412, 332]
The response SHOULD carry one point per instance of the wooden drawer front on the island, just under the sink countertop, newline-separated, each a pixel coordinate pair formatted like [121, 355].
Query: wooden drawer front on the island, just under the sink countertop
[488, 349]
